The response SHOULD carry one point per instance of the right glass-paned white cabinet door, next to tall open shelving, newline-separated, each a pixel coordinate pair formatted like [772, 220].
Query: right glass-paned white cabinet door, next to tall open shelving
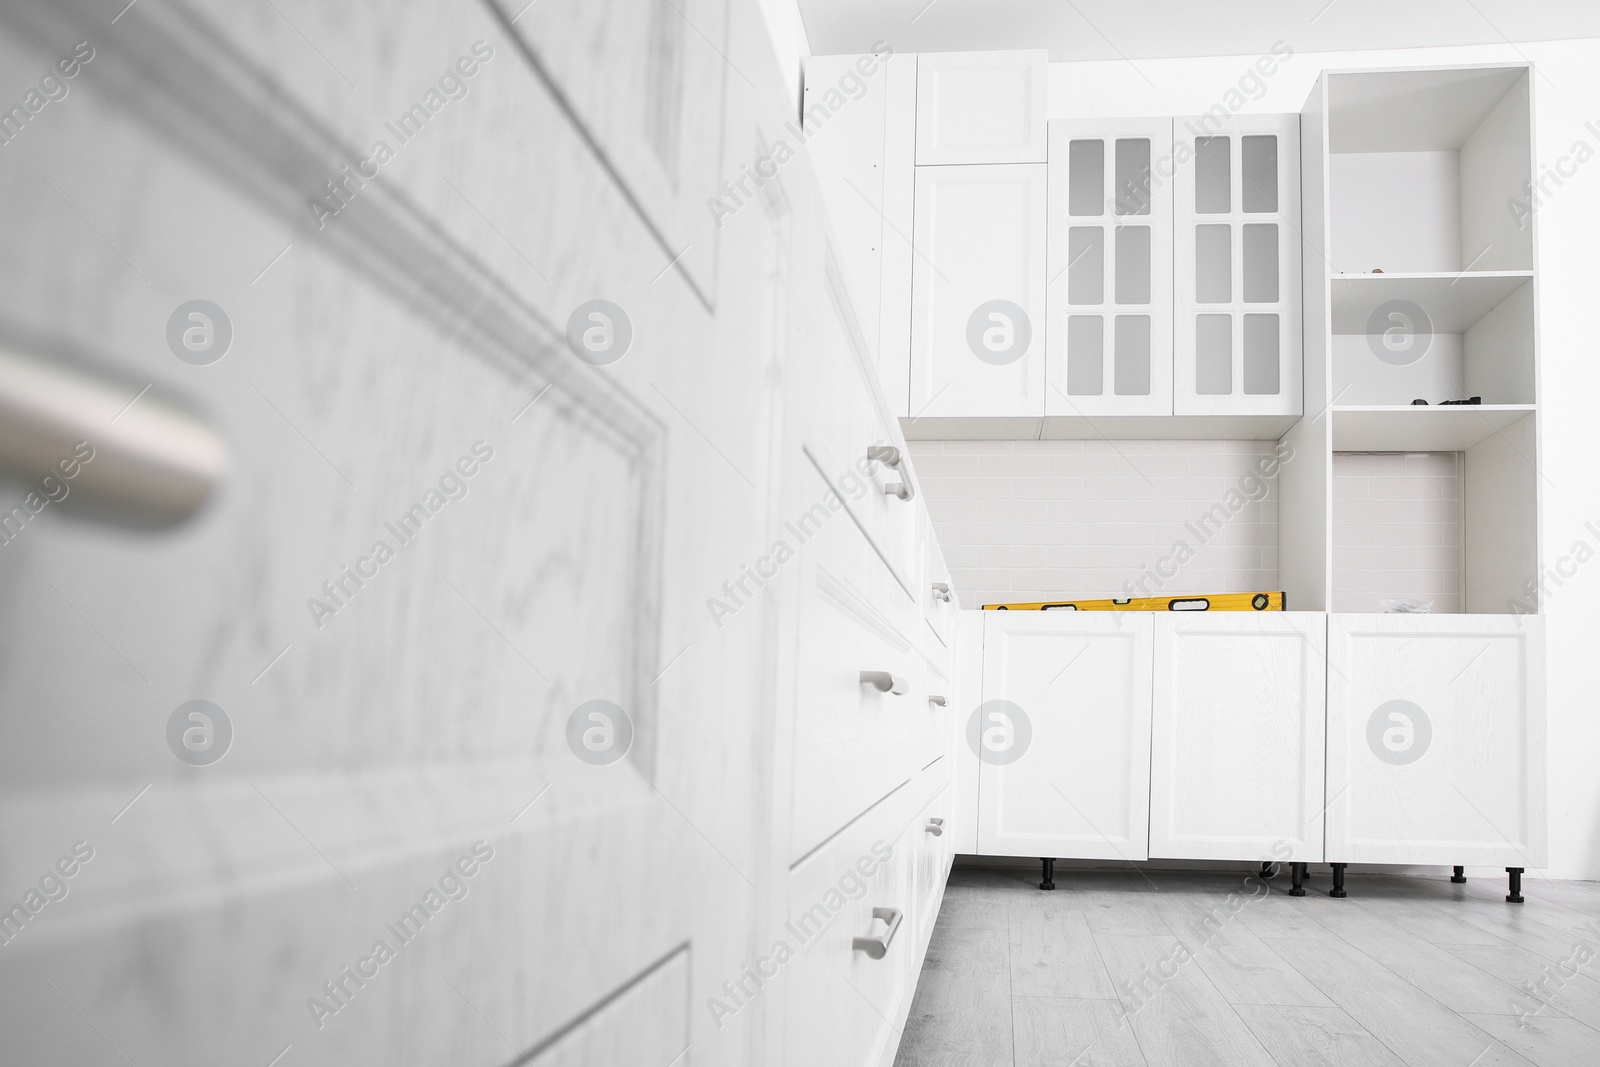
[1238, 266]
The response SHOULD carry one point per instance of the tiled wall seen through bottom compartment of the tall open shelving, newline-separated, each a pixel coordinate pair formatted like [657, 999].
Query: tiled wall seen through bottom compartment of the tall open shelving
[1396, 530]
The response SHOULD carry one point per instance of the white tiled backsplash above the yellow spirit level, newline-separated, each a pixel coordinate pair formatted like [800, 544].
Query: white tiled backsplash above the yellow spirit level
[1052, 521]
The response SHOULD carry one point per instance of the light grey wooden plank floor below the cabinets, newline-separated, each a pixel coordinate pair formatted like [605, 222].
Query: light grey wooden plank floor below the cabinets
[1169, 970]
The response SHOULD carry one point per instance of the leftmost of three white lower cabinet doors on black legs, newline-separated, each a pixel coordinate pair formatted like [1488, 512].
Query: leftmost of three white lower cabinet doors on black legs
[1065, 733]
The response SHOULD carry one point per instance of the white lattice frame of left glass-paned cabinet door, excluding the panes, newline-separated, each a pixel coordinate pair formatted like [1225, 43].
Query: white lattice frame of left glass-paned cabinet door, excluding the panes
[1060, 258]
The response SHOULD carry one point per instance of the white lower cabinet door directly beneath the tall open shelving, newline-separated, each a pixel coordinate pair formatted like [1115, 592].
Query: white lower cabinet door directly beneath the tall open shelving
[1436, 740]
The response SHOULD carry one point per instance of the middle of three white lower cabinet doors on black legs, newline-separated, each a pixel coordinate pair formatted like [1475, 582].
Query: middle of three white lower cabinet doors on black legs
[1238, 737]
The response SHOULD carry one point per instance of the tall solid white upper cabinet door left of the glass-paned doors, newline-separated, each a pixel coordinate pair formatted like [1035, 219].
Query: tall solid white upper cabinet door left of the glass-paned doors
[978, 292]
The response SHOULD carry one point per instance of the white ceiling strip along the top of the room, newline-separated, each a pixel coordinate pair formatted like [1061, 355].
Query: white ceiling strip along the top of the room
[1148, 30]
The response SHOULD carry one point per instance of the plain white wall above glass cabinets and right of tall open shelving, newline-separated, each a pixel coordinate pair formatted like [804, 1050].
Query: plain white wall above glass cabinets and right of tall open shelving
[1567, 97]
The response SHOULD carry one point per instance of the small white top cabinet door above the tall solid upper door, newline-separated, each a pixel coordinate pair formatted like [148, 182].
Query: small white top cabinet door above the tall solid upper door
[982, 108]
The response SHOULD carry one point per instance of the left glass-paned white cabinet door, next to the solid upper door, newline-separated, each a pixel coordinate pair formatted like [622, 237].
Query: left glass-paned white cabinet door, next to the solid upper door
[1110, 338]
